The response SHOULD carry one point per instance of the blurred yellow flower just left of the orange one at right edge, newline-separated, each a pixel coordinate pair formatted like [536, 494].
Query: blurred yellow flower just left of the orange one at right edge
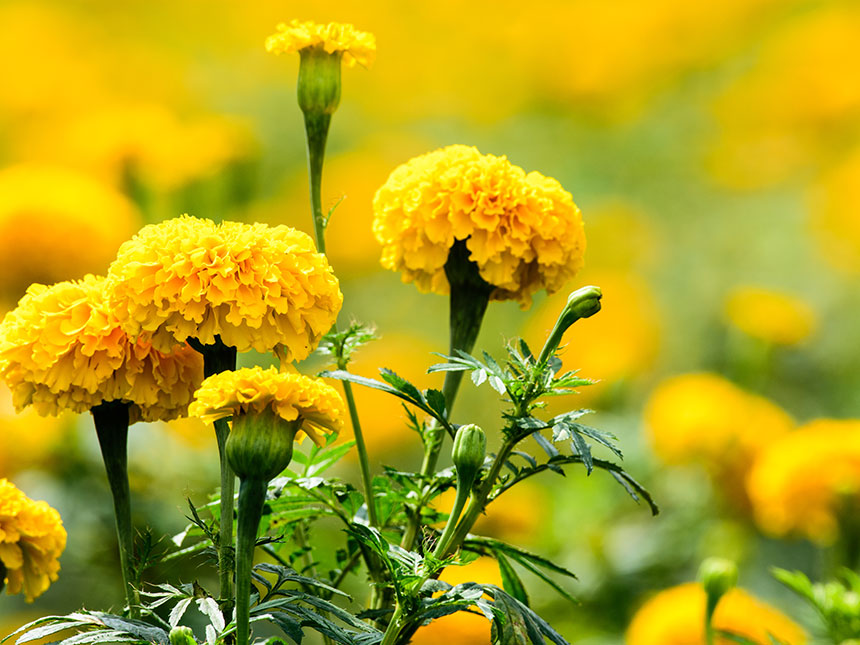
[702, 418]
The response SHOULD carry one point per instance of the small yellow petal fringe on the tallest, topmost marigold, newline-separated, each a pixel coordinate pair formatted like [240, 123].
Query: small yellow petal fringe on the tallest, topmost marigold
[356, 46]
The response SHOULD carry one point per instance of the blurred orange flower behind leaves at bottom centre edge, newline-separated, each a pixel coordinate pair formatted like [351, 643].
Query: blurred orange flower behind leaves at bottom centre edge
[462, 628]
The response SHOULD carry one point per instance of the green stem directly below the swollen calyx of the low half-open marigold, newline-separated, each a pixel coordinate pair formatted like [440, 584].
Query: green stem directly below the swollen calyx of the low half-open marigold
[252, 495]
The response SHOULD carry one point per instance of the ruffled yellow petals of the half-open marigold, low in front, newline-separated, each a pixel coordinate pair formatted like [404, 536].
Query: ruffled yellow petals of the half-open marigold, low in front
[256, 390]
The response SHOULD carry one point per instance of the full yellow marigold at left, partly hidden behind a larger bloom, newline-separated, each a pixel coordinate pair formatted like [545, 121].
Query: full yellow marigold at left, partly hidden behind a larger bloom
[62, 348]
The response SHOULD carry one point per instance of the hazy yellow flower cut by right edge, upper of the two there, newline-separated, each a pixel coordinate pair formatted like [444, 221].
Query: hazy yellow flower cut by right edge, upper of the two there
[834, 204]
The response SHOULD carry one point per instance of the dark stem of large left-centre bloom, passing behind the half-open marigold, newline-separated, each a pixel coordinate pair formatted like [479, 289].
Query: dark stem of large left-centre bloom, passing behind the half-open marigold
[218, 358]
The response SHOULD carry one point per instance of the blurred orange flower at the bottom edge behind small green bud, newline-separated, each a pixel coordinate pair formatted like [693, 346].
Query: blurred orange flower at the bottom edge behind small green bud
[676, 616]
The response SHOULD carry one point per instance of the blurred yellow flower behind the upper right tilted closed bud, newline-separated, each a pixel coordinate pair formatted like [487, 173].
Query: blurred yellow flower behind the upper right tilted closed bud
[620, 343]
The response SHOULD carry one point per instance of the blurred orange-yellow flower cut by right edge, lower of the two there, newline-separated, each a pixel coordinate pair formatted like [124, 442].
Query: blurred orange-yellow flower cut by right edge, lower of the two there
[801, 482]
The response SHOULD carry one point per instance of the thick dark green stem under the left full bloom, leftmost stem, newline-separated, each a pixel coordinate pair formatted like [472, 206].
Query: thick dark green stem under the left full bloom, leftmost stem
[111, 421]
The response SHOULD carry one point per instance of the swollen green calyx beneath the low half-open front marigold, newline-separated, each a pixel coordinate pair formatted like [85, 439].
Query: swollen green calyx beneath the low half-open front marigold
[260, 445]
